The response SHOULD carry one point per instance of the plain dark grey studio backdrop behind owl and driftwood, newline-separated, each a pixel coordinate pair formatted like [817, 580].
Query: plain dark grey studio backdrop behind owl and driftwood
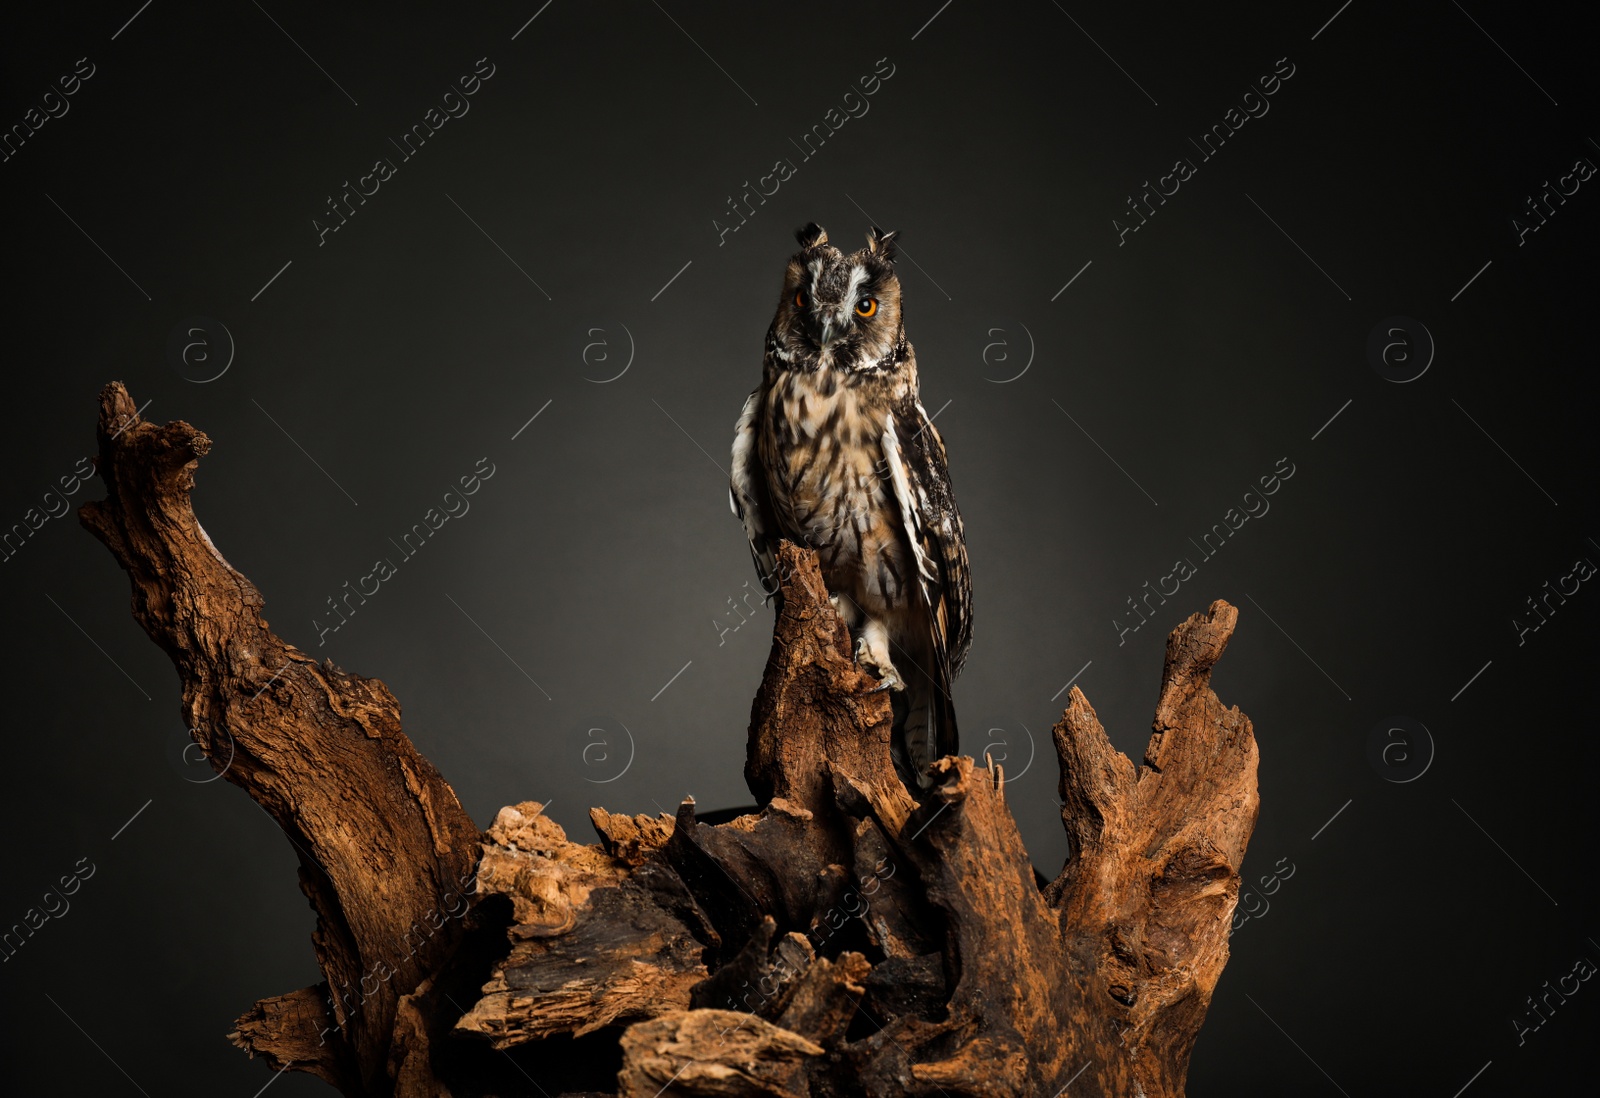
[601, 558]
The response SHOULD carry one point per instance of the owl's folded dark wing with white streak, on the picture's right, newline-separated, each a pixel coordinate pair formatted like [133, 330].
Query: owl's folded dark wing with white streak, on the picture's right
[921, 476]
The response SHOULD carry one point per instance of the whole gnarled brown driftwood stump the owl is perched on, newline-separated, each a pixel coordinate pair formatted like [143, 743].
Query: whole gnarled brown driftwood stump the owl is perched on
[842, 940]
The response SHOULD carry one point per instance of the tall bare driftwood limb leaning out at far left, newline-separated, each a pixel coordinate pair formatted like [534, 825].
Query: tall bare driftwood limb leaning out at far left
[385, 846]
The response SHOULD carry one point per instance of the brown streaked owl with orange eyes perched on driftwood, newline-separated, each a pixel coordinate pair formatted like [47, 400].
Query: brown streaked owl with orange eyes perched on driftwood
[836, 452]
